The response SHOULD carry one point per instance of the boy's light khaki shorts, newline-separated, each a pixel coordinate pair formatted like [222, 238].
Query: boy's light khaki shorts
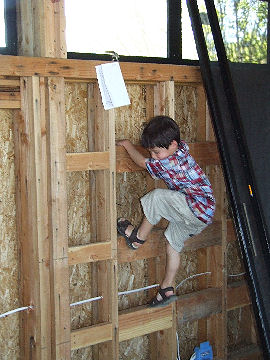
[172, 206]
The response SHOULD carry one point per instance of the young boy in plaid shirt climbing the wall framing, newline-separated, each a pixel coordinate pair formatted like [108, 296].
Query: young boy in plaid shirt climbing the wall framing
[188, 203]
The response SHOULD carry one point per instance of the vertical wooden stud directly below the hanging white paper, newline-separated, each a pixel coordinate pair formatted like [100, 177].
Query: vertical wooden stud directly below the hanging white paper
[105, 208]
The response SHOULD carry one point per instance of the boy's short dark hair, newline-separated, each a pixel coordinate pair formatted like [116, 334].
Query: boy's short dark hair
[160, 132]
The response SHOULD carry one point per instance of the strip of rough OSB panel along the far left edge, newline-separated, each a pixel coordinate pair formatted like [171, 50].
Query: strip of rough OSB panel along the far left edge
[9, 262]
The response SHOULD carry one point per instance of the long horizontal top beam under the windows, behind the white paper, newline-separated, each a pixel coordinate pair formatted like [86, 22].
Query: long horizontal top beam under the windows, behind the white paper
[85, 69]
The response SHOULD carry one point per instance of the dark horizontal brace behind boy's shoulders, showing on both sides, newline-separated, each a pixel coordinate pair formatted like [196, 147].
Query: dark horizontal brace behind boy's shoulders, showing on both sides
[205, 153]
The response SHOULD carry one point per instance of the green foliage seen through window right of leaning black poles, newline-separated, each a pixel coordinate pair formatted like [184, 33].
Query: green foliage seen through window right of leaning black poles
[244, 28]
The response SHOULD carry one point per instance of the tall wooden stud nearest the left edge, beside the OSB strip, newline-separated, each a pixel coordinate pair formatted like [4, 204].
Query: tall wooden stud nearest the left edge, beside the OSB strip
[32, 219]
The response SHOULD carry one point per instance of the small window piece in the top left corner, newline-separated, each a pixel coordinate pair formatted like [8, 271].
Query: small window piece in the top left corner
[8, 30]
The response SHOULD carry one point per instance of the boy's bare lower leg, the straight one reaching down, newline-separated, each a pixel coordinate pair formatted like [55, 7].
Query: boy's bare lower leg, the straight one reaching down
[172, 265]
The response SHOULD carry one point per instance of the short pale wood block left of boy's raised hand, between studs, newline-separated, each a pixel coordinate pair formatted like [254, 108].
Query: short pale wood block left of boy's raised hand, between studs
[88, 161]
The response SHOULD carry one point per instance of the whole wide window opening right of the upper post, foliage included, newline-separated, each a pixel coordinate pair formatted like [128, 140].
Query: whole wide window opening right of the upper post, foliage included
[160, 30]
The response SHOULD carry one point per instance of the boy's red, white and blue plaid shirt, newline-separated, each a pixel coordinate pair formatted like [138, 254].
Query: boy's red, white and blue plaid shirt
[181, 173]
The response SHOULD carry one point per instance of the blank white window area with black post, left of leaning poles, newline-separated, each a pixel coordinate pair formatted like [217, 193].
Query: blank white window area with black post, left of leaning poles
[146, 30]
